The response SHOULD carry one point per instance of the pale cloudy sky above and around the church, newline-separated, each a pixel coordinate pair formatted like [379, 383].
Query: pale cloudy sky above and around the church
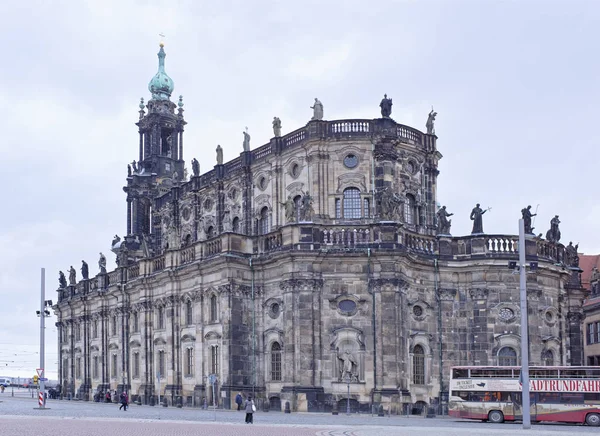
[514, 84]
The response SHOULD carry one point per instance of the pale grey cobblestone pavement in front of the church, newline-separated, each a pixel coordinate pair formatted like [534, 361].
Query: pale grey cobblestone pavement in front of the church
[19, 417]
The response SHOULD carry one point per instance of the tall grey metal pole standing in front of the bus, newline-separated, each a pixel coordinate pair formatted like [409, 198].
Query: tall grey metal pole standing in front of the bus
[524, 328]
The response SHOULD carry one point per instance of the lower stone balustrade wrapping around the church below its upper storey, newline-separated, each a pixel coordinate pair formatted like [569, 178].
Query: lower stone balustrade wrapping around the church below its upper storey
[310, 236]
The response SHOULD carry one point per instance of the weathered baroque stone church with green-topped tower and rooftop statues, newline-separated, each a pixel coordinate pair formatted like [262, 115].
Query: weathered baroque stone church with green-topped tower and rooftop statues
[313, 267]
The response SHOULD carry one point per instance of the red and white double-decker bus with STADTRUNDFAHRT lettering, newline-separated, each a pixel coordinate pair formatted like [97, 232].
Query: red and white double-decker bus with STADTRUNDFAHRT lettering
[557, 393]
